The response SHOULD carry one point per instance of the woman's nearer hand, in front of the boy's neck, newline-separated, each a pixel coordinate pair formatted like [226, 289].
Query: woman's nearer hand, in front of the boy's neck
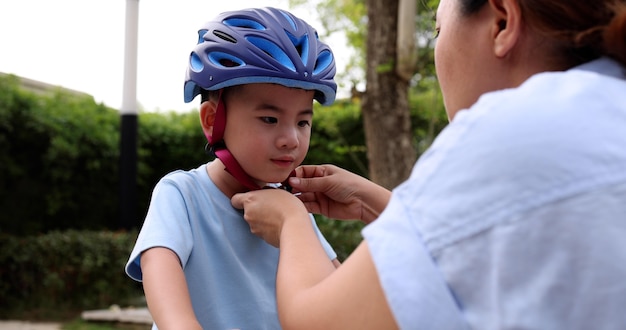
[267, 210]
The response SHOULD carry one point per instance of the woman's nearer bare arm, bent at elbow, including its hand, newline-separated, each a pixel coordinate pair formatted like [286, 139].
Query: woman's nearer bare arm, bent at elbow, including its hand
[311, 293]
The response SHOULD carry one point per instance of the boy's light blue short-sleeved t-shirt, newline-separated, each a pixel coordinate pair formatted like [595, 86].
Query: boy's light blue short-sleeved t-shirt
[230, 272]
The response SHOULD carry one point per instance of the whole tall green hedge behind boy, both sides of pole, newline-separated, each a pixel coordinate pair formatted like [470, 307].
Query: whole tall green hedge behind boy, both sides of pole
[59, 156]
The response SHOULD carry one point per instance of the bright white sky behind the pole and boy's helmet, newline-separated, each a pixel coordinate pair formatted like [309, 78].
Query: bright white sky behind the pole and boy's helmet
[79, 44]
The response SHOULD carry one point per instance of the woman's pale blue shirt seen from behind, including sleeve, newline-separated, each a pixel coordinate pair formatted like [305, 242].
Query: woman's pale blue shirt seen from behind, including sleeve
[516, 217]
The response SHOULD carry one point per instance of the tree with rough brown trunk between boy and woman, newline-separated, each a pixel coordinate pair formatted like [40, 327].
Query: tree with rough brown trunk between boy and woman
[387, 37]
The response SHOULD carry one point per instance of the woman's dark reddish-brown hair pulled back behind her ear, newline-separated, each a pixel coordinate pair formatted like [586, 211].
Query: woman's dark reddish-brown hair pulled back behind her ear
[581, 30]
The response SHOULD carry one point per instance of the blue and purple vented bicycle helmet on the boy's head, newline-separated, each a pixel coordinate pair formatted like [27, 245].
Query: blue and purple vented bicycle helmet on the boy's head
[264, 45]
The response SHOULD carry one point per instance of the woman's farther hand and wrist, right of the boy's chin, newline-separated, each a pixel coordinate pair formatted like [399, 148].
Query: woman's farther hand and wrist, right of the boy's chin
[339, 194]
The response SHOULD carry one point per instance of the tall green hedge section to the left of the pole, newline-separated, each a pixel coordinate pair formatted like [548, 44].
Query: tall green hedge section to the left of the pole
[58, 161]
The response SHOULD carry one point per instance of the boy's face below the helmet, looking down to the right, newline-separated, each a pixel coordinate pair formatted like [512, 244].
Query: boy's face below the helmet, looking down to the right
[268, 128]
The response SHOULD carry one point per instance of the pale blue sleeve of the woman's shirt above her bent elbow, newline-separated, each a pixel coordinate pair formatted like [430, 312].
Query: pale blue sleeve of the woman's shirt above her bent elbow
[414, 287]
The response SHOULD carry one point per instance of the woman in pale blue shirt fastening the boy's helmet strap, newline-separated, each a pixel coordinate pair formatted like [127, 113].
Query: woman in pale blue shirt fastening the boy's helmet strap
[516, 215]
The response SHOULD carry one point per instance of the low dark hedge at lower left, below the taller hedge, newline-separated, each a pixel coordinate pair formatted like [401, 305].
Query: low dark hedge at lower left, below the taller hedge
[61, 273]
